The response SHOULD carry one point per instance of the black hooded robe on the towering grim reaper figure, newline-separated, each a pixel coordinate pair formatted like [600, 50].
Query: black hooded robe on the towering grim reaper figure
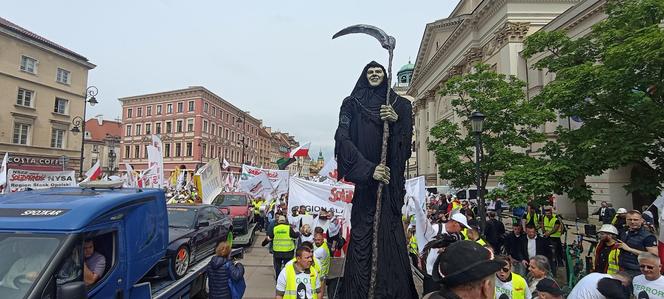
[357, 150]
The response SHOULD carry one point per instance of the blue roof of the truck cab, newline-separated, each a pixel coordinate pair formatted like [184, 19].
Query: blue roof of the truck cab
[78, 207]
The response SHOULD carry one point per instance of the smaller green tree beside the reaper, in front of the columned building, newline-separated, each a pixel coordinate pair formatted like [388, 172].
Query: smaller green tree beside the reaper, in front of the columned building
[511, 126]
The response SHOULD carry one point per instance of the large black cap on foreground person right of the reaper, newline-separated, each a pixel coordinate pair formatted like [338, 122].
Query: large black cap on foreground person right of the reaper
[464, 261]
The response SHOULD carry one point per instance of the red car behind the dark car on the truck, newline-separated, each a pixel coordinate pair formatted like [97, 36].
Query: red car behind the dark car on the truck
[238, 204]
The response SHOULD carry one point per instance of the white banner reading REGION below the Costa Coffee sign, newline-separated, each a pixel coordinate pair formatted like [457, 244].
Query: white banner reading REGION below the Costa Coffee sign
[18, 179]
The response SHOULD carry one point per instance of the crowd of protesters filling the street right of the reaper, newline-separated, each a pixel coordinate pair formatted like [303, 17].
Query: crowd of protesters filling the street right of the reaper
[458, 260]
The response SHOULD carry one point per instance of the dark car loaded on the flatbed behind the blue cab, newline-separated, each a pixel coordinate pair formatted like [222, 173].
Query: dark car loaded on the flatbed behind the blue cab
[194, 231]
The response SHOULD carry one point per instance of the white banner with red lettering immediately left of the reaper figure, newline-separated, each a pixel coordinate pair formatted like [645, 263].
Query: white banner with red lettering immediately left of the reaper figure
[315, 196]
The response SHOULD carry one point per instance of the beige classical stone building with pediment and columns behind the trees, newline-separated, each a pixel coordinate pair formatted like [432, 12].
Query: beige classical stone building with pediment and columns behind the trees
[492, 32]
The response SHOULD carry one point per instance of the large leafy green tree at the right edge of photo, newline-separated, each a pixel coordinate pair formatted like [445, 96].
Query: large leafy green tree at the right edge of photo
[611, 79]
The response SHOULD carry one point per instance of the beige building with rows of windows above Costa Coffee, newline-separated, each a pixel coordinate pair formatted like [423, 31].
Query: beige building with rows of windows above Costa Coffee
[43, 87]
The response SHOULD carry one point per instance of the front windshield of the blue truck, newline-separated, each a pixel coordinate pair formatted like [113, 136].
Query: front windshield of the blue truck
[24, 257]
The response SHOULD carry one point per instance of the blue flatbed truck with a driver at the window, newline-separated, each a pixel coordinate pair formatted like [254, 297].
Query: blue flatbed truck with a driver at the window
[45, 236]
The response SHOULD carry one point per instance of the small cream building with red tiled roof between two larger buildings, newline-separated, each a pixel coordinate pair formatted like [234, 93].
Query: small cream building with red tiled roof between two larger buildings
[102, 143]
